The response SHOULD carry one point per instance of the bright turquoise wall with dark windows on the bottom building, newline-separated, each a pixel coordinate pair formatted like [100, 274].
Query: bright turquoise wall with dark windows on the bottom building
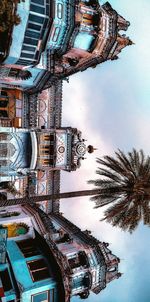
[30, 271]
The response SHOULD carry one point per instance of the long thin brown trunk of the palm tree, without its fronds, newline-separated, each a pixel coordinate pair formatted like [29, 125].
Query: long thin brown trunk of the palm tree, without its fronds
[39, 198]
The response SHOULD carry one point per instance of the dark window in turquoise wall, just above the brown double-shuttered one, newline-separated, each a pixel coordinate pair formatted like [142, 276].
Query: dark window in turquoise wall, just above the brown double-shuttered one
[28, 247]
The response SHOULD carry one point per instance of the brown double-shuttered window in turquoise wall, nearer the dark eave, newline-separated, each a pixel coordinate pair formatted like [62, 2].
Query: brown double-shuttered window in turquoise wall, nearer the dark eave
[38, 270]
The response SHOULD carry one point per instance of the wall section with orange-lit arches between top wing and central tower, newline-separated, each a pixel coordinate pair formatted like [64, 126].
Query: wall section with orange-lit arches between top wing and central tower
[39, 110]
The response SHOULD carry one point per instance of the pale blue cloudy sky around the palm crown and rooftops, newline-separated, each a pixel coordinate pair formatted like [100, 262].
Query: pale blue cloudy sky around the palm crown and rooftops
[111, 105]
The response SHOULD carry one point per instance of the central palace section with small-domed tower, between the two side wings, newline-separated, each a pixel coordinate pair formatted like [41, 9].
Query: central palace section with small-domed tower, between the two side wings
[34, 147]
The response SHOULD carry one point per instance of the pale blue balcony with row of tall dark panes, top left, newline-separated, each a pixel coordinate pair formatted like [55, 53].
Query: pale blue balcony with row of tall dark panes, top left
[34, 27]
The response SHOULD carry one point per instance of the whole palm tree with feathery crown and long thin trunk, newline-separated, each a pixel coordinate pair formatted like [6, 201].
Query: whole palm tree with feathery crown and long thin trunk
[124, 182]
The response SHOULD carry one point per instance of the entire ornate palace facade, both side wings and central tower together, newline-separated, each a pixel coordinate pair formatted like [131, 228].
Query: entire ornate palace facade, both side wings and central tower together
[43, 256]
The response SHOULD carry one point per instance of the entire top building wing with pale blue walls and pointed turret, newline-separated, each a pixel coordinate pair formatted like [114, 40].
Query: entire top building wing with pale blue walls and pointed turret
[58, 39]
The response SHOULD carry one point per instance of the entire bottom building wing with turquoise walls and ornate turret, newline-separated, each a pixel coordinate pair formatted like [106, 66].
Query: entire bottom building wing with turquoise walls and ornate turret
[38, 245]
